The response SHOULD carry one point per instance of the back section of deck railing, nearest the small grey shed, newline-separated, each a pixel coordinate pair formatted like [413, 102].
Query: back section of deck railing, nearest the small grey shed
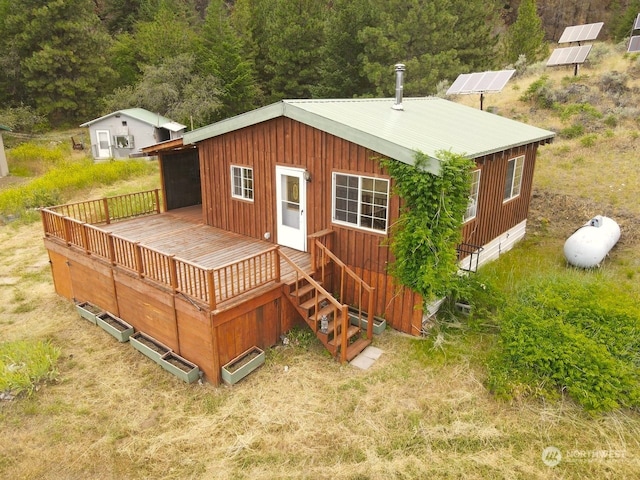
[107, 210]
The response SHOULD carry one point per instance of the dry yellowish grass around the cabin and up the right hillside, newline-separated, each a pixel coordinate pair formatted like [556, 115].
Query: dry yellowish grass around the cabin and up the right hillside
[424, 410]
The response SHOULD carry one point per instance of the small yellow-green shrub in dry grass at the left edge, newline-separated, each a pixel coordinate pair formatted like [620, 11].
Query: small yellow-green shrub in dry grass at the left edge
[26, 364]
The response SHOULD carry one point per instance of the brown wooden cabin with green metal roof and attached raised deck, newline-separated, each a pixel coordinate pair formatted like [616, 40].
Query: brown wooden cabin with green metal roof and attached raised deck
[281, 216]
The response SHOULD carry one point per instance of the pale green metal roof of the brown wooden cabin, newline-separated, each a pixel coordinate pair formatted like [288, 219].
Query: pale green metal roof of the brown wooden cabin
[426, 124]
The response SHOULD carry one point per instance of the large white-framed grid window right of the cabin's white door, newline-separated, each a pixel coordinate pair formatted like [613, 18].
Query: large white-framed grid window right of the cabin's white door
[360, 201]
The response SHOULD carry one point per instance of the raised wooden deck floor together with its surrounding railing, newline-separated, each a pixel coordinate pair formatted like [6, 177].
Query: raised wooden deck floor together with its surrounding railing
[213, 266]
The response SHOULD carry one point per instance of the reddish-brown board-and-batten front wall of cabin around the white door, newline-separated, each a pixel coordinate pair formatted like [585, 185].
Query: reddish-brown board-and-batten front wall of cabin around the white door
[286, 142]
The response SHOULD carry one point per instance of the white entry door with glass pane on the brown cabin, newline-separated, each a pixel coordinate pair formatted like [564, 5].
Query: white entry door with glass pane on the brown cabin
[291, 206]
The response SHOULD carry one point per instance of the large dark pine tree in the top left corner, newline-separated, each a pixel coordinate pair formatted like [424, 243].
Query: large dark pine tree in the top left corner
[56, 48]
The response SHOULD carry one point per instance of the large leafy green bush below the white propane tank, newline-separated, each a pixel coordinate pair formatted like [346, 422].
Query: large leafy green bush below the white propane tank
[574, 335]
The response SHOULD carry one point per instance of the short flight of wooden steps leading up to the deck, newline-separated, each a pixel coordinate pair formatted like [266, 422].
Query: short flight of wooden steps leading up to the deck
[315, 304]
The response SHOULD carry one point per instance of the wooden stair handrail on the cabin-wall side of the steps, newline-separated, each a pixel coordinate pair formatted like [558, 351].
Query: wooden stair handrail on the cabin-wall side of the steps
[349, 284]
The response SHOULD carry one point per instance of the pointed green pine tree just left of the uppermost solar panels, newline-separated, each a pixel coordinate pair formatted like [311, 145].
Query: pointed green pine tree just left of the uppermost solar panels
[526, 35]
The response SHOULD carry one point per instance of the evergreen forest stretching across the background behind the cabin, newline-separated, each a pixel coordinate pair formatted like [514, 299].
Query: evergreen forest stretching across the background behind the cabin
[63, 62]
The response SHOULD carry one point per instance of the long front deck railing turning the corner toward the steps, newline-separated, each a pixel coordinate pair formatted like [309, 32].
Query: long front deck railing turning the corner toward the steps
[212, 286]
